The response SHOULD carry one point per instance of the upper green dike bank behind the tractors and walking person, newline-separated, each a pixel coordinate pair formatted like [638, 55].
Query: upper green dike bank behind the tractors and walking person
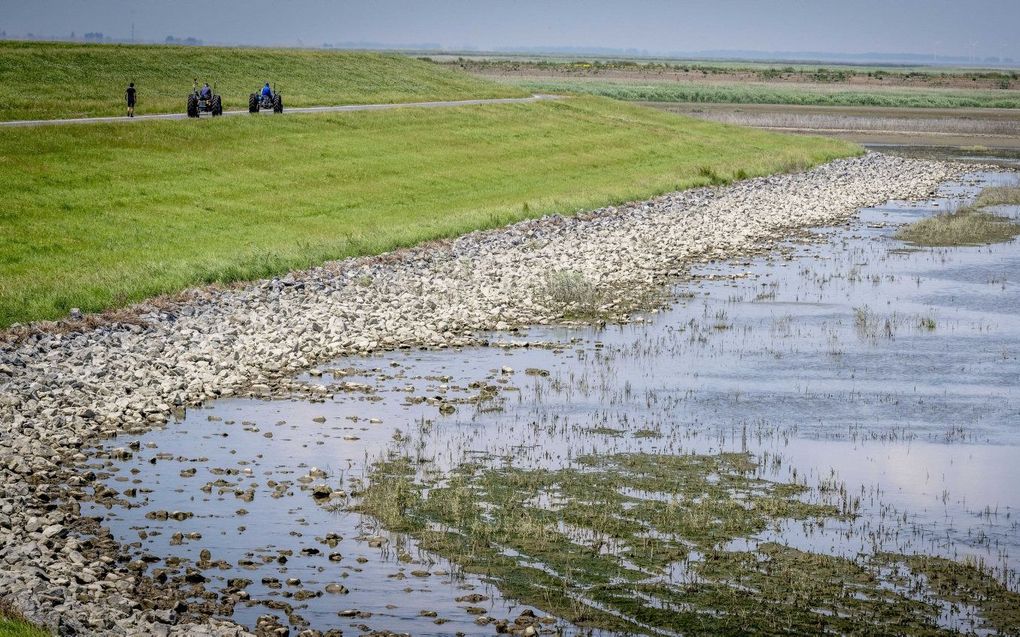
[60, 80]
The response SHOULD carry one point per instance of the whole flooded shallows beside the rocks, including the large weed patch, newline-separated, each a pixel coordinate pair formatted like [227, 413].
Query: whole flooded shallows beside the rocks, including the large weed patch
[828, 414]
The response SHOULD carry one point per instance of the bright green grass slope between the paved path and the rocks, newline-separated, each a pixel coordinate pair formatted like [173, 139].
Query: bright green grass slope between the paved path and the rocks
[103, 216]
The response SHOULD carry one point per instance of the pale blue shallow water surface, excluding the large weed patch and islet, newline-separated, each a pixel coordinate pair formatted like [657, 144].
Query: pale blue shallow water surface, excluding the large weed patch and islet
[849, 356]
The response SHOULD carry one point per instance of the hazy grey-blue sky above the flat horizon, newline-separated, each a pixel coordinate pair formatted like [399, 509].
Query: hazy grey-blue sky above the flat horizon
[983, 28]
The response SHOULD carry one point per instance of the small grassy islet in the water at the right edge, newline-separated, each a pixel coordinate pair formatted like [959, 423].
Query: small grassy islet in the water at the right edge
[967, 226]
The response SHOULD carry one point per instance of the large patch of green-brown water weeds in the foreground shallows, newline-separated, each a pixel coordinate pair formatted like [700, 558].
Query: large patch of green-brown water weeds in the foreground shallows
[645, 544]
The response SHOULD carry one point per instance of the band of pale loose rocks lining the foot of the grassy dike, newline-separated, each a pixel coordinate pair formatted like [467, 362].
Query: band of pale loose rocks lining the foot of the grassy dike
[62, 392]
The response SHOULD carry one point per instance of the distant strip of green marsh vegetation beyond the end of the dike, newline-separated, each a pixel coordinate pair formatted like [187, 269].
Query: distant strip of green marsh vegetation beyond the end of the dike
[768, 94]
